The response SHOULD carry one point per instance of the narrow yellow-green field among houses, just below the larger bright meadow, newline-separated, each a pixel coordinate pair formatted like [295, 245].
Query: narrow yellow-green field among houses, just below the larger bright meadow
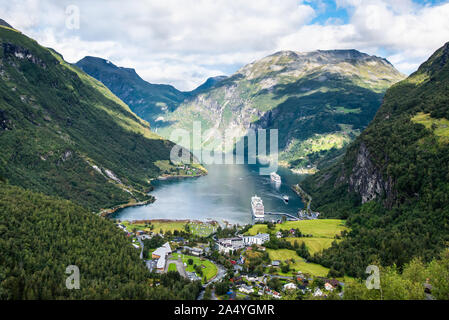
[299, 264]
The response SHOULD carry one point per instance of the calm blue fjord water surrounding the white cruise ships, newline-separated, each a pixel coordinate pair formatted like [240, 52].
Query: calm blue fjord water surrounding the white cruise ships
[222, 195]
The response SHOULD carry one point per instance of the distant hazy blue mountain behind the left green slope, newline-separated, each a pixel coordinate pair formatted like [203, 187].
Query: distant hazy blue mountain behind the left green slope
[148, 101]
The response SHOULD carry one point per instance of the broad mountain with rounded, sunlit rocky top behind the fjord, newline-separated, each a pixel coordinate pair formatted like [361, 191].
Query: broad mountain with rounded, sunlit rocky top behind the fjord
[319, 101]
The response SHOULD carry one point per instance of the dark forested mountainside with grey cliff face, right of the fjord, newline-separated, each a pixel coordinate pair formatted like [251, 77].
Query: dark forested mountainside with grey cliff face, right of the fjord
[393, 183]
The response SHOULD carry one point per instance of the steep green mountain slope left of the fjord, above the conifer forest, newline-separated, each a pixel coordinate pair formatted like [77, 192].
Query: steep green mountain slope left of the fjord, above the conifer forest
[65, 134]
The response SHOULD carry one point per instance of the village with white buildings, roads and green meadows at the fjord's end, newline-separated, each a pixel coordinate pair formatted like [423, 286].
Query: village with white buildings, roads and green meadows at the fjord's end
[262, 261]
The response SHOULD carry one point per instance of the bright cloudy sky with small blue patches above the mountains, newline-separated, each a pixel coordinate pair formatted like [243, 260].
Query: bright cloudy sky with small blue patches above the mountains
[182, 42]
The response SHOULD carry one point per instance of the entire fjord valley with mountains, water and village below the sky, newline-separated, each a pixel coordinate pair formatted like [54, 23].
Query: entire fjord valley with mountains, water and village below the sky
[87, 179]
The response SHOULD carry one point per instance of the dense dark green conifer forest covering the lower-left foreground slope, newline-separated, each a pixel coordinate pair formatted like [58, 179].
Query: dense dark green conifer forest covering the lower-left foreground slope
[40, 236]
